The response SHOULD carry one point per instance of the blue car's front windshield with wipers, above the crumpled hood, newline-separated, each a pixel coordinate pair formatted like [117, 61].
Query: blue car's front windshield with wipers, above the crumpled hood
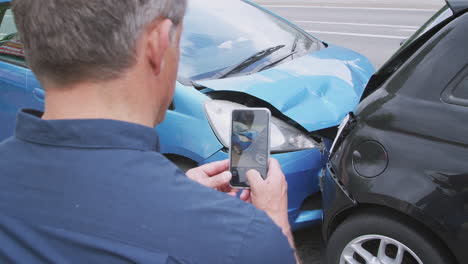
[222, 34]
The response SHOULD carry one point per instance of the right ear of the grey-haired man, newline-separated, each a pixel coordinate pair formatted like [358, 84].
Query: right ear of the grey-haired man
[159, 40]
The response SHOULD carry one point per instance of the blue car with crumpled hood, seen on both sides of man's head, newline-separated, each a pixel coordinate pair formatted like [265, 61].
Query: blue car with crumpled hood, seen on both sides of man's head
[234, 54]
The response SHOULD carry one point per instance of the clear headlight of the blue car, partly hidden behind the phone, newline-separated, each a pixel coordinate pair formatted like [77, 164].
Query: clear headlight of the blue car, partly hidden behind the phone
[284, 137]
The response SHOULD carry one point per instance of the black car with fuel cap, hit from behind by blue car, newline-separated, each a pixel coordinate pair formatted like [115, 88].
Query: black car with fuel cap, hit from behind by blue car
[396, 187]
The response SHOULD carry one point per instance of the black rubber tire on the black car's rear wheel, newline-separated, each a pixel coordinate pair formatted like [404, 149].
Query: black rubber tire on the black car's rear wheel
[367, 230]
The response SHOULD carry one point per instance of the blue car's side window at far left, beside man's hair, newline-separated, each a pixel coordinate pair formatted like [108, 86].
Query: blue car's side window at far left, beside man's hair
[11, 48]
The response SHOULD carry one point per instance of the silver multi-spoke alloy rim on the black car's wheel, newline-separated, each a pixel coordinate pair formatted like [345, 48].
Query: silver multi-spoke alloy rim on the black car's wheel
[375, 249]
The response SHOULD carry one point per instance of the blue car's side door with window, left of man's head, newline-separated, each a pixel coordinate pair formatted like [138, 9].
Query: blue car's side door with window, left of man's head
[15, 93]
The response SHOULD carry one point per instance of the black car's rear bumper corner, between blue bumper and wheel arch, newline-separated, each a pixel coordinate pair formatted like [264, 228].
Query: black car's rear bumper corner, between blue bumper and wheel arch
[335, 200]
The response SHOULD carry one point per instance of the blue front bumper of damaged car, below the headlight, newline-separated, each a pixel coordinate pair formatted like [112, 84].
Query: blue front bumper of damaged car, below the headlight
[302, 170]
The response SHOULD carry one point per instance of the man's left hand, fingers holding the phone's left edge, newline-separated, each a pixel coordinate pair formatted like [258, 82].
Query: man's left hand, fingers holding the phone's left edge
[215, 175]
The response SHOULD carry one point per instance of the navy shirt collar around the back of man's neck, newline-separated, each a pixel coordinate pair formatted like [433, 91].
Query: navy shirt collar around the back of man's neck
[85, 133]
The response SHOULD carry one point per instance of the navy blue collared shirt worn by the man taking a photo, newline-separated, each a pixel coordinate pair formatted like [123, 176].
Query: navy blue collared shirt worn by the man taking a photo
[98, 191]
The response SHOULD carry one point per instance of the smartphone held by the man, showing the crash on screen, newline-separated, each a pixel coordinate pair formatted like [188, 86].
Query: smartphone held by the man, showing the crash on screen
[250, 144]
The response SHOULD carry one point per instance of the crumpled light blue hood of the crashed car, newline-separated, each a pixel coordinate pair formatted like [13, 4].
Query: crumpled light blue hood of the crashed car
[316, 90]
